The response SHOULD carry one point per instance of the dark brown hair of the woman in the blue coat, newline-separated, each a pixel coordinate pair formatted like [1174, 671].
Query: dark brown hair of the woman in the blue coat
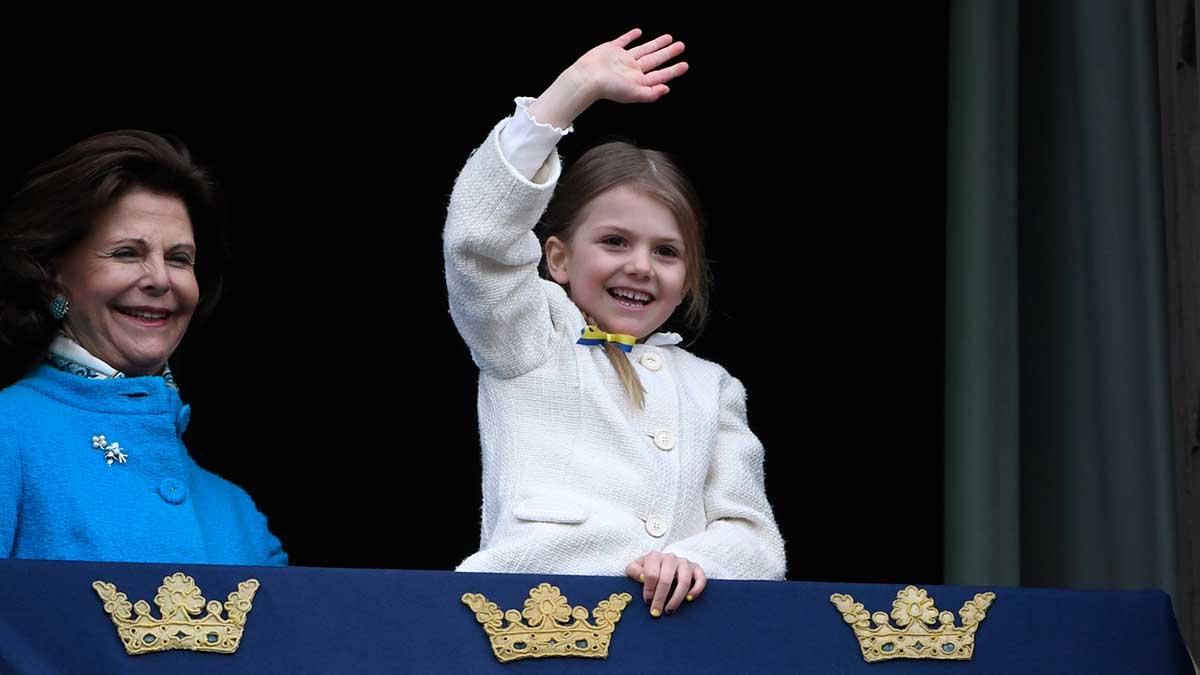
[55, 210]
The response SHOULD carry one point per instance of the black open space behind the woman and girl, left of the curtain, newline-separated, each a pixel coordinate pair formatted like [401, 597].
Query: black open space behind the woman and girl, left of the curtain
[332, 384]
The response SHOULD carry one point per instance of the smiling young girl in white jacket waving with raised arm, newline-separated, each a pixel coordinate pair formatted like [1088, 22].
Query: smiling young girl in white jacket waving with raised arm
[607, 447]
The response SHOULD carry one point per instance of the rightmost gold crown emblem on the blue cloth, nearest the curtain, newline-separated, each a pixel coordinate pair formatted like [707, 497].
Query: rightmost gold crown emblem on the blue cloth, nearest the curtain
[922, 634]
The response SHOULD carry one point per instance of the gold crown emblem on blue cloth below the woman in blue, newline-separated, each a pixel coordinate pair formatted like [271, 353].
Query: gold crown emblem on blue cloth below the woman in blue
[179, 601]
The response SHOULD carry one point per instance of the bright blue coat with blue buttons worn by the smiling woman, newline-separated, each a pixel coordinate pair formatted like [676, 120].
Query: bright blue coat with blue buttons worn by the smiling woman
[61, 499]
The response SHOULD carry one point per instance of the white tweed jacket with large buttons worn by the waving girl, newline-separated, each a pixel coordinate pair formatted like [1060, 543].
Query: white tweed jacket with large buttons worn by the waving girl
[578, 481]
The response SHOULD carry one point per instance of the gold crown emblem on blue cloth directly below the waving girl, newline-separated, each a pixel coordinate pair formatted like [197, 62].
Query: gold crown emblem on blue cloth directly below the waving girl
[554, 628]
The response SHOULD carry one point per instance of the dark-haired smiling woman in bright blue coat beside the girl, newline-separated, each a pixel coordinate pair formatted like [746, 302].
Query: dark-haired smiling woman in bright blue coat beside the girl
[107, 253]
